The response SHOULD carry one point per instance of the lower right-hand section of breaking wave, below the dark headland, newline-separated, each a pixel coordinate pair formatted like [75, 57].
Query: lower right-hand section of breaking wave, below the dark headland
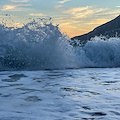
[99, 53]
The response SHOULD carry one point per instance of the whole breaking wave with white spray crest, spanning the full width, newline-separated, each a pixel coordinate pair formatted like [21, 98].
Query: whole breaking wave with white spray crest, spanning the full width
[41, 45]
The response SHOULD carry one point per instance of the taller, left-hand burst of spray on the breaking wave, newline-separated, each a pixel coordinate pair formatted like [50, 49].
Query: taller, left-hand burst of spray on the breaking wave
[37, 45]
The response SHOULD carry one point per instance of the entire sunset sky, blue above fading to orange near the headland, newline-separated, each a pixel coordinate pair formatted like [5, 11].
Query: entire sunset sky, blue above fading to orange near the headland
[75, 17]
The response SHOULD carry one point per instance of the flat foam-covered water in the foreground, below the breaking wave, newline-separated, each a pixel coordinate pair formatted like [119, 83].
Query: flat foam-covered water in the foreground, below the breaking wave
[73, 94]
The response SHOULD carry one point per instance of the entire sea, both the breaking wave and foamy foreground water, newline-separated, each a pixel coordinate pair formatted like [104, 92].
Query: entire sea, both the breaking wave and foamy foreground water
[44, 77]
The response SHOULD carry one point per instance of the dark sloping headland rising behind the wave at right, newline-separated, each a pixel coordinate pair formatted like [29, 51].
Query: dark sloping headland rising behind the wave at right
[108, 29]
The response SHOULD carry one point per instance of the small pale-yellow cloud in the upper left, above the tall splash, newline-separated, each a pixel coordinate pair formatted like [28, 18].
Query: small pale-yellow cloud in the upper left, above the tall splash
[20, 7]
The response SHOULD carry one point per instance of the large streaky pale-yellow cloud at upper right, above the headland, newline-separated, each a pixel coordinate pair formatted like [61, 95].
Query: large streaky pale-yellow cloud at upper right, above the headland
[88, 12]
